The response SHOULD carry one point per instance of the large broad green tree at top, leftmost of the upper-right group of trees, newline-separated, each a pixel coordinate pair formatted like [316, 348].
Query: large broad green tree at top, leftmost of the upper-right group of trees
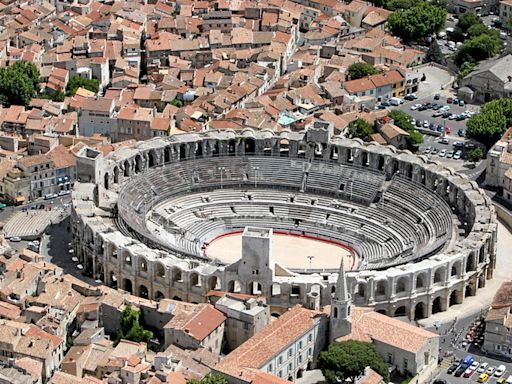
[418, 22]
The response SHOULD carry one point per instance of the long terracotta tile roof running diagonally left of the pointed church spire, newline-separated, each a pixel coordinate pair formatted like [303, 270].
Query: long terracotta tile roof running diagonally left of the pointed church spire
[244, 361]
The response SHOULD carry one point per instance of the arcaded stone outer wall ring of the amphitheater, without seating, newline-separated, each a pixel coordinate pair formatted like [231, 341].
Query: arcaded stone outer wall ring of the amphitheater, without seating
[414, 289]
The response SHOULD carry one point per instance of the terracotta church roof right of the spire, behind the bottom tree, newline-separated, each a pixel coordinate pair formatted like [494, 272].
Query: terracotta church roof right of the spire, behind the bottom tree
[371, 326]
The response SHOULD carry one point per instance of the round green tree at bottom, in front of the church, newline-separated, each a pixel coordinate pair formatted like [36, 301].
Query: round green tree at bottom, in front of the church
[348, 359]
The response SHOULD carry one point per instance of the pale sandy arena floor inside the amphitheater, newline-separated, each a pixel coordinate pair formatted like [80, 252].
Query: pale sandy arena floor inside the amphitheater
[289, 251]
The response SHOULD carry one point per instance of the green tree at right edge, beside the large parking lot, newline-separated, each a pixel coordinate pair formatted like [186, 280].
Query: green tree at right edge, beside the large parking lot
[493, 120]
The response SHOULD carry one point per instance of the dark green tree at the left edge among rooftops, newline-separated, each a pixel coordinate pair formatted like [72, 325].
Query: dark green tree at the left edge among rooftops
[18, 83]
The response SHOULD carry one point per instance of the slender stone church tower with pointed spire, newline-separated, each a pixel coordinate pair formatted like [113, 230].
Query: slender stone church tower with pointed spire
[340, 322]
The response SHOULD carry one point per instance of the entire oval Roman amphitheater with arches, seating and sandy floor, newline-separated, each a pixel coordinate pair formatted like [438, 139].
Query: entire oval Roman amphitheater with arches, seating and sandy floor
[274, 215]
